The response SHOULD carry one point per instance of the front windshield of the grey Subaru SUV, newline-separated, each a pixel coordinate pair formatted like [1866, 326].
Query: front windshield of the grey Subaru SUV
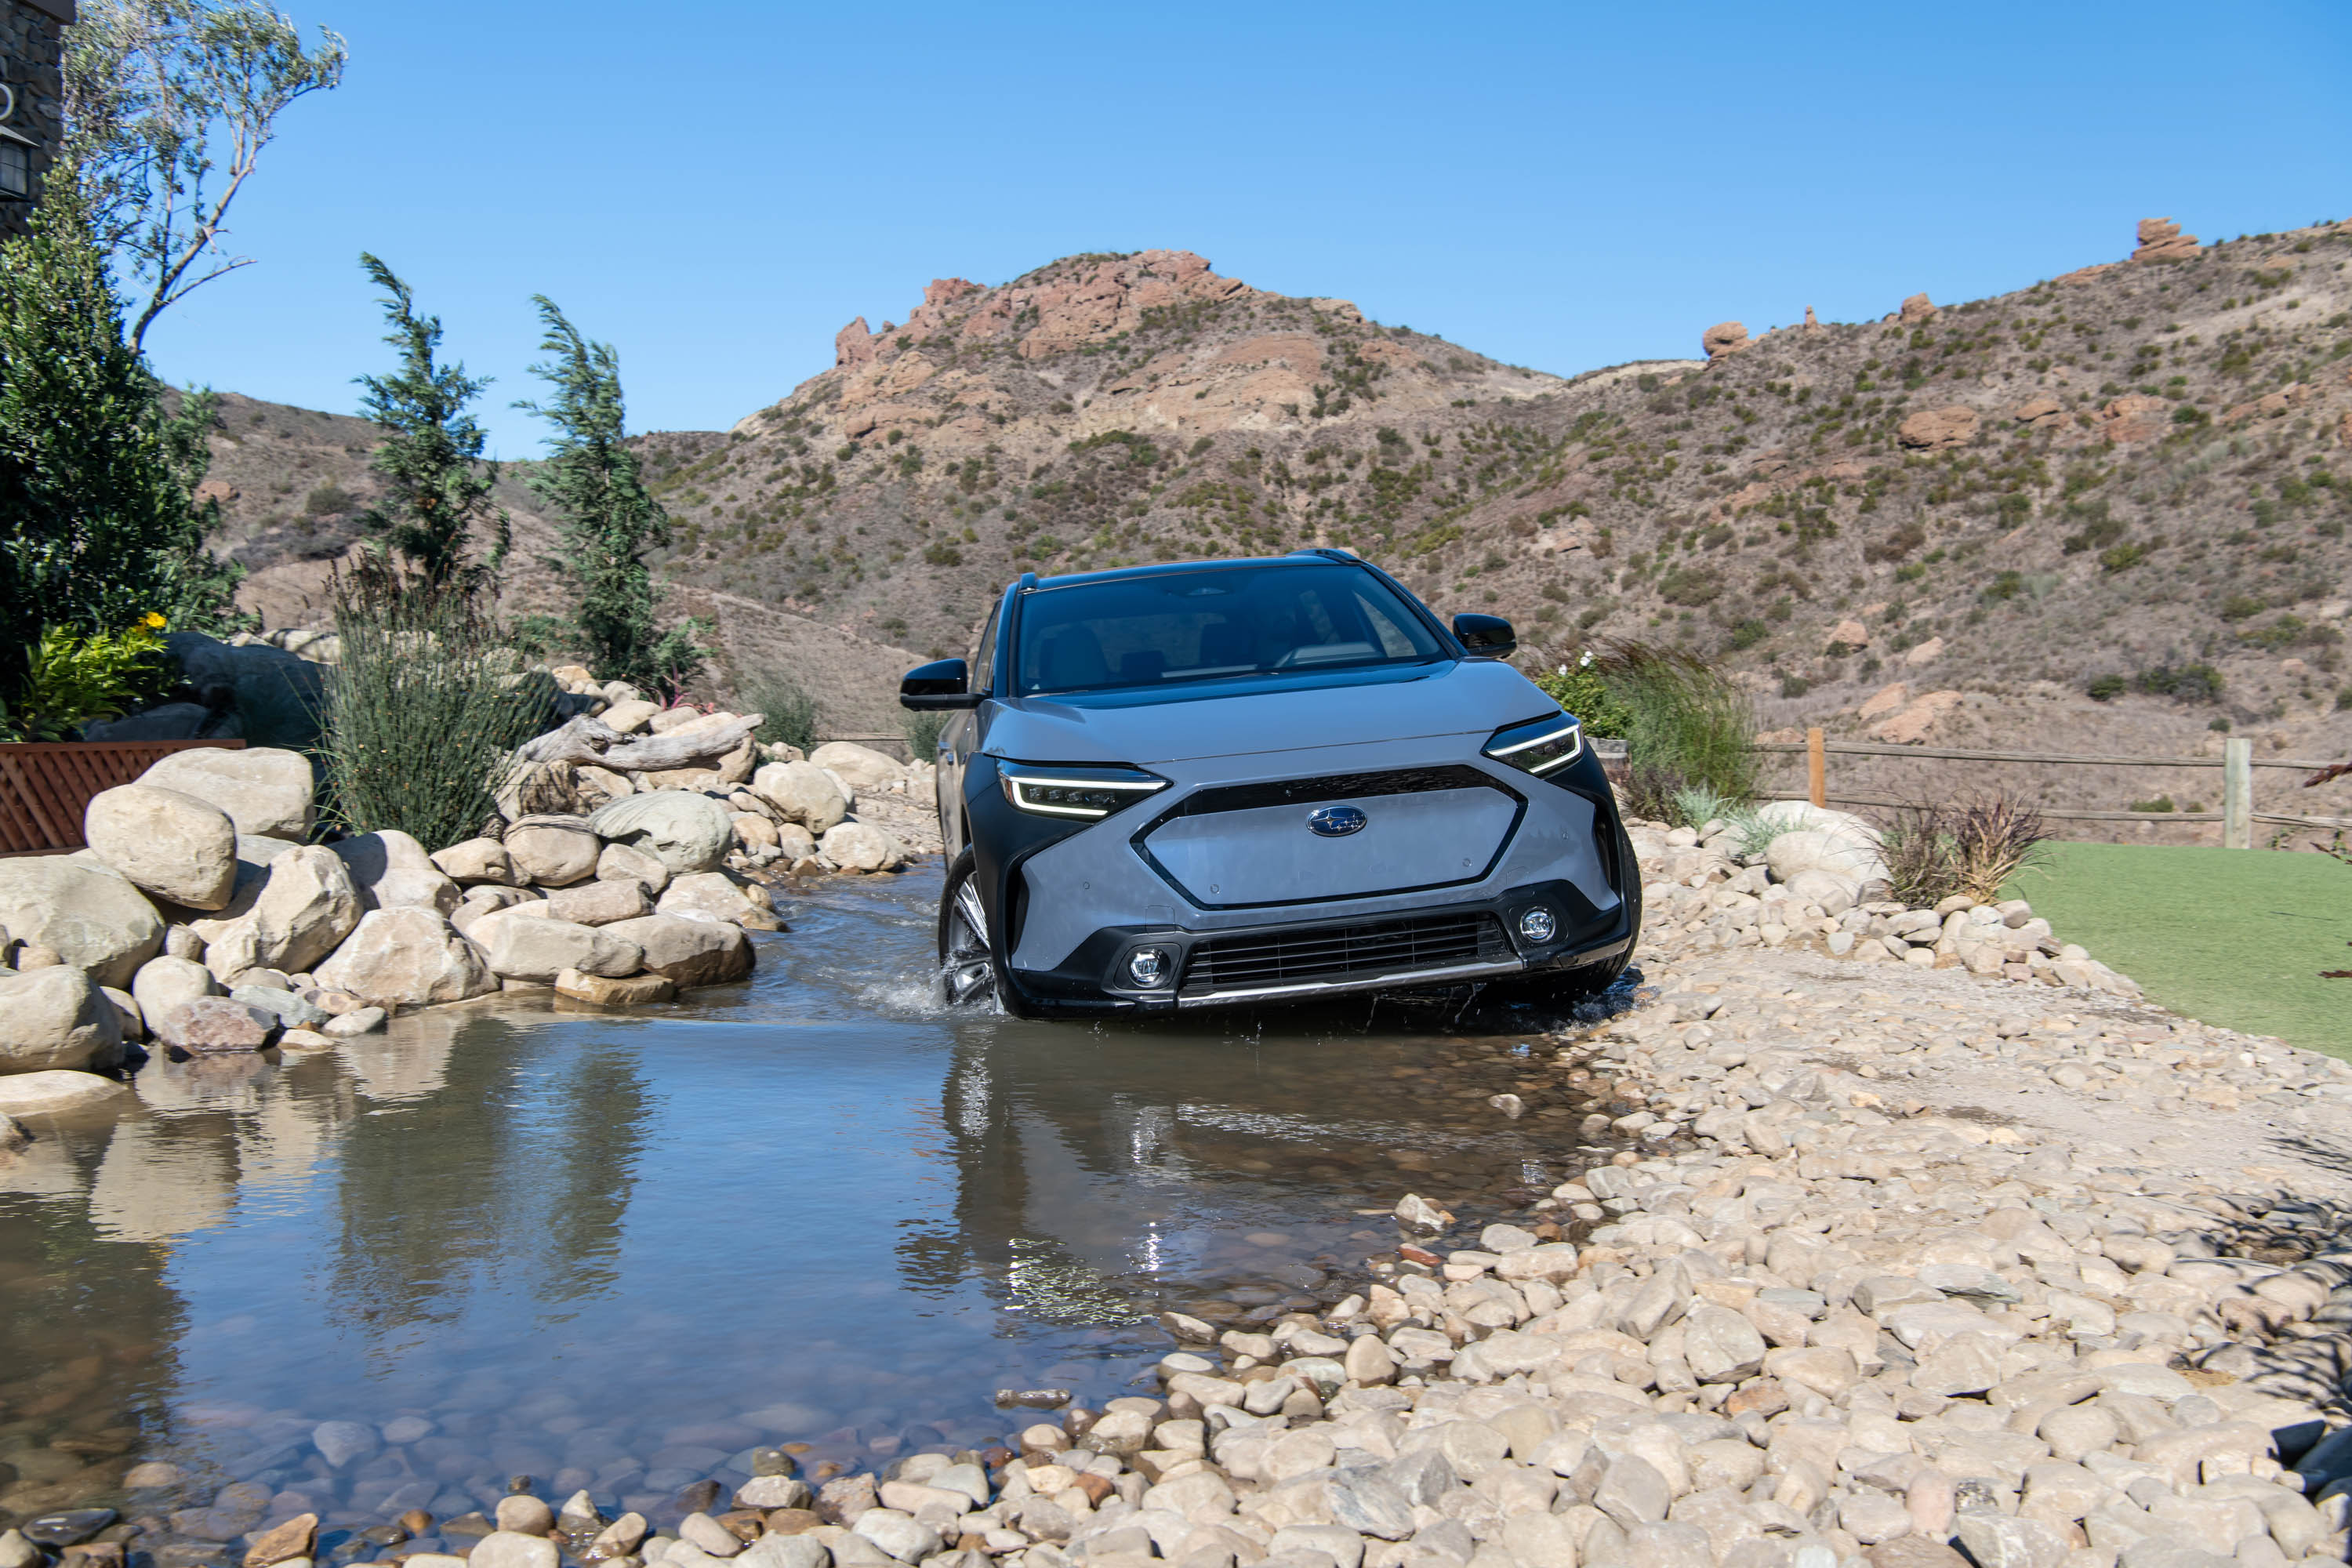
[1215, 624]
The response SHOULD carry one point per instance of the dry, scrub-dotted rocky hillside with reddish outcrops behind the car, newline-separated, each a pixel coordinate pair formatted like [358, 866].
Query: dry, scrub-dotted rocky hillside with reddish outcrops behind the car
[2106, 509]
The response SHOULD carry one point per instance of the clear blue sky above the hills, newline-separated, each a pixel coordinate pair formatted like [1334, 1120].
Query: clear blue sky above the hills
[719, 187]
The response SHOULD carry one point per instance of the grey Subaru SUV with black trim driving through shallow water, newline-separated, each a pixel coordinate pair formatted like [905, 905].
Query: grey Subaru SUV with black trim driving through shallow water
[1255, 782]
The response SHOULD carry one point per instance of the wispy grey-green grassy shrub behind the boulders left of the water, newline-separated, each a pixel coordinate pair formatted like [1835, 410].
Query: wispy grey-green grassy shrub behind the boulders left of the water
[422, 711]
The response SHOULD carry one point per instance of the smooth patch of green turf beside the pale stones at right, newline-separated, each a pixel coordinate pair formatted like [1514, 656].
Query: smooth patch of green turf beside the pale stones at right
[2236, 937]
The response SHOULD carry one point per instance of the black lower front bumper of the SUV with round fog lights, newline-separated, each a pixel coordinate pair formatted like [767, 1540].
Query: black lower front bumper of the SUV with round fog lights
[1445, 944]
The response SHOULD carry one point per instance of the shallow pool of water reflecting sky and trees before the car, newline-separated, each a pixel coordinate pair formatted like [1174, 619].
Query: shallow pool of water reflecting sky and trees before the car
[620, 1252]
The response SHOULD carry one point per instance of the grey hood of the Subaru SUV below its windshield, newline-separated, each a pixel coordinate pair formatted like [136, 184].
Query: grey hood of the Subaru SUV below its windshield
[1267, 716]
